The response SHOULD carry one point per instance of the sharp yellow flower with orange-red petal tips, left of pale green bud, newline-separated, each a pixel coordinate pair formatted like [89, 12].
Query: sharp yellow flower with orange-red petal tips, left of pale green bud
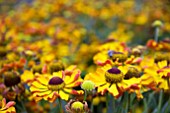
[59, 85]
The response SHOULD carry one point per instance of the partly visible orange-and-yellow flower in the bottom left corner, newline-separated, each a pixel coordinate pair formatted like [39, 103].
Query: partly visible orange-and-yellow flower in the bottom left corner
[7, 107]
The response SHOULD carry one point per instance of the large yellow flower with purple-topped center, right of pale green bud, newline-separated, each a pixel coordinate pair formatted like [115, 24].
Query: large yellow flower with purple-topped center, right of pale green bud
[111, 79]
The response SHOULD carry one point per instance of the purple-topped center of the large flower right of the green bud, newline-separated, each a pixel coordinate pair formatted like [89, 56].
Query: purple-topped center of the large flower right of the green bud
[114, 75]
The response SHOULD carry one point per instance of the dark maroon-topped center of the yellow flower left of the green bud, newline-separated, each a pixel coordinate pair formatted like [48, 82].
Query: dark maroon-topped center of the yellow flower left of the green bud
[56, 83]
